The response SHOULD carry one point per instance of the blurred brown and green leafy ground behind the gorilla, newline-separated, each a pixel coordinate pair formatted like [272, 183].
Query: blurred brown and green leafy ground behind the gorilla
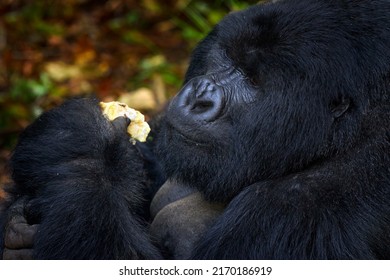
[135, 51]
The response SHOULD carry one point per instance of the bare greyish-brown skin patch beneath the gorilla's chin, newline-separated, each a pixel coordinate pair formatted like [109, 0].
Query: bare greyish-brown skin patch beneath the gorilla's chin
[181, 216]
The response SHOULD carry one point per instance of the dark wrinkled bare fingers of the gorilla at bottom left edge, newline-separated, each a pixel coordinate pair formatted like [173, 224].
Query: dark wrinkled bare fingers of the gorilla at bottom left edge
[19, 234]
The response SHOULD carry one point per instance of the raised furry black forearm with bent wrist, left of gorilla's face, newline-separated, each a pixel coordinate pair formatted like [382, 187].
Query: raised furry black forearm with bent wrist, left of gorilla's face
[87, 183]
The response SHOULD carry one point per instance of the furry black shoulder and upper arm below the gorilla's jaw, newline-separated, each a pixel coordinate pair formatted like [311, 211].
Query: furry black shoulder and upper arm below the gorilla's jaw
[305, 216]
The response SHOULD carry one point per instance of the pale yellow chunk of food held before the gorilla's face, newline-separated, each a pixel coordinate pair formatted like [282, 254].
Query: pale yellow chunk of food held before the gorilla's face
[138, 128]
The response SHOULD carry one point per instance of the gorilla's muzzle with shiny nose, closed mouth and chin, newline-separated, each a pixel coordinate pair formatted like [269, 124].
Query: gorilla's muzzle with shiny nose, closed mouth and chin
[192, 127]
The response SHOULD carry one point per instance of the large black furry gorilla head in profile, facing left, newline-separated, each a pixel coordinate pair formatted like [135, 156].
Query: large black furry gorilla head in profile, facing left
[275, 89]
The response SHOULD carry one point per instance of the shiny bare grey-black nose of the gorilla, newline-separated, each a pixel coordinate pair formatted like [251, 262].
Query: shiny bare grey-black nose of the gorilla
[200, 99]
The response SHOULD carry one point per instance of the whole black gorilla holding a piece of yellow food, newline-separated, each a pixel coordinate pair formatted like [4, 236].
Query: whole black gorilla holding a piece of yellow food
[276, 147]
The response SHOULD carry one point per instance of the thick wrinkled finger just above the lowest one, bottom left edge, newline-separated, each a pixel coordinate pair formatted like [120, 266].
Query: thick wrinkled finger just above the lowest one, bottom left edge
[20, 235]
